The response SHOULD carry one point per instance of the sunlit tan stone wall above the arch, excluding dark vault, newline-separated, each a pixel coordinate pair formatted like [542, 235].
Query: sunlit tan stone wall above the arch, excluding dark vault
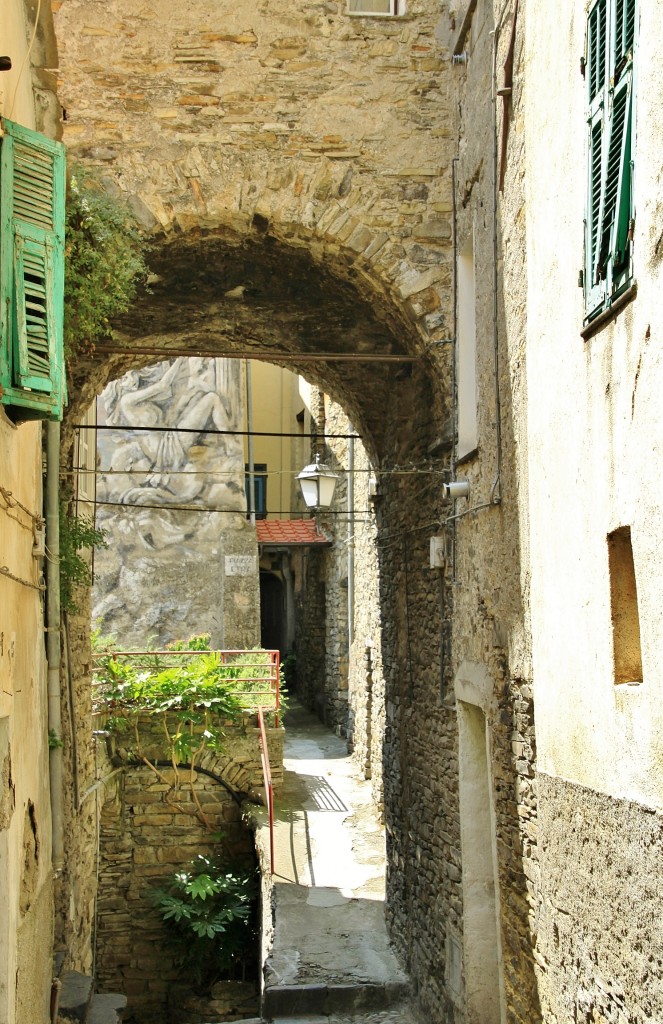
[255, 110]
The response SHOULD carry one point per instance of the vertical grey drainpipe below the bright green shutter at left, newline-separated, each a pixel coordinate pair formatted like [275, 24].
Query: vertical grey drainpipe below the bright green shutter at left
[54, 642]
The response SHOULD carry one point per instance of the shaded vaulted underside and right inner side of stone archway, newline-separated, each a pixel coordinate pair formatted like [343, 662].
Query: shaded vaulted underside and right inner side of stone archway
[219, 294]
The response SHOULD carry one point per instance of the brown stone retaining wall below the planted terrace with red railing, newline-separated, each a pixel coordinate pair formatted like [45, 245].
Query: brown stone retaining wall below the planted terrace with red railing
[149, 830]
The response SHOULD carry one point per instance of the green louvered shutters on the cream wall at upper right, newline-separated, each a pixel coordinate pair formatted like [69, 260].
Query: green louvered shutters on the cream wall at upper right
[609, 222]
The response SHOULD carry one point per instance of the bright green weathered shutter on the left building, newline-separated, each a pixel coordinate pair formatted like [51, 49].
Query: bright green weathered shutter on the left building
[32, 255]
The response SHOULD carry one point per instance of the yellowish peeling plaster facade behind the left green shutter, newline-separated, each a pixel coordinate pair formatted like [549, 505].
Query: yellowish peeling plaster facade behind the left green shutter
[27, 97]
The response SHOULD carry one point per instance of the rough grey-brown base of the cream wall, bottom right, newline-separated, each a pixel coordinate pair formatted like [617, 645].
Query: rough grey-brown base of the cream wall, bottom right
[601, 934]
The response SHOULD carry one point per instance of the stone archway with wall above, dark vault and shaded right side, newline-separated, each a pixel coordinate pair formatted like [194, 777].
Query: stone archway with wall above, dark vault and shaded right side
[294, 170]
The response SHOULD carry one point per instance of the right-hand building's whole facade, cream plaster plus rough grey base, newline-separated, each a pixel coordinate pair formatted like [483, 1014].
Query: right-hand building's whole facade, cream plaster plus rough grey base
[594, 424]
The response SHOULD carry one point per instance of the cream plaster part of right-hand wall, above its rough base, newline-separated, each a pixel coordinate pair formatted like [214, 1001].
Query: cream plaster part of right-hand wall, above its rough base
[596, 460]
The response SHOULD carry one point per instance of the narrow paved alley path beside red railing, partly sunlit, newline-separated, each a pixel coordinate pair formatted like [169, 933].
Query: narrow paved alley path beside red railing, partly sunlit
[330, 960]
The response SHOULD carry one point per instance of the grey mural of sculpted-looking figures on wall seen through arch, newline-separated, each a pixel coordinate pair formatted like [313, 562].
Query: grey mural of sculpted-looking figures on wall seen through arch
[172, 498]
